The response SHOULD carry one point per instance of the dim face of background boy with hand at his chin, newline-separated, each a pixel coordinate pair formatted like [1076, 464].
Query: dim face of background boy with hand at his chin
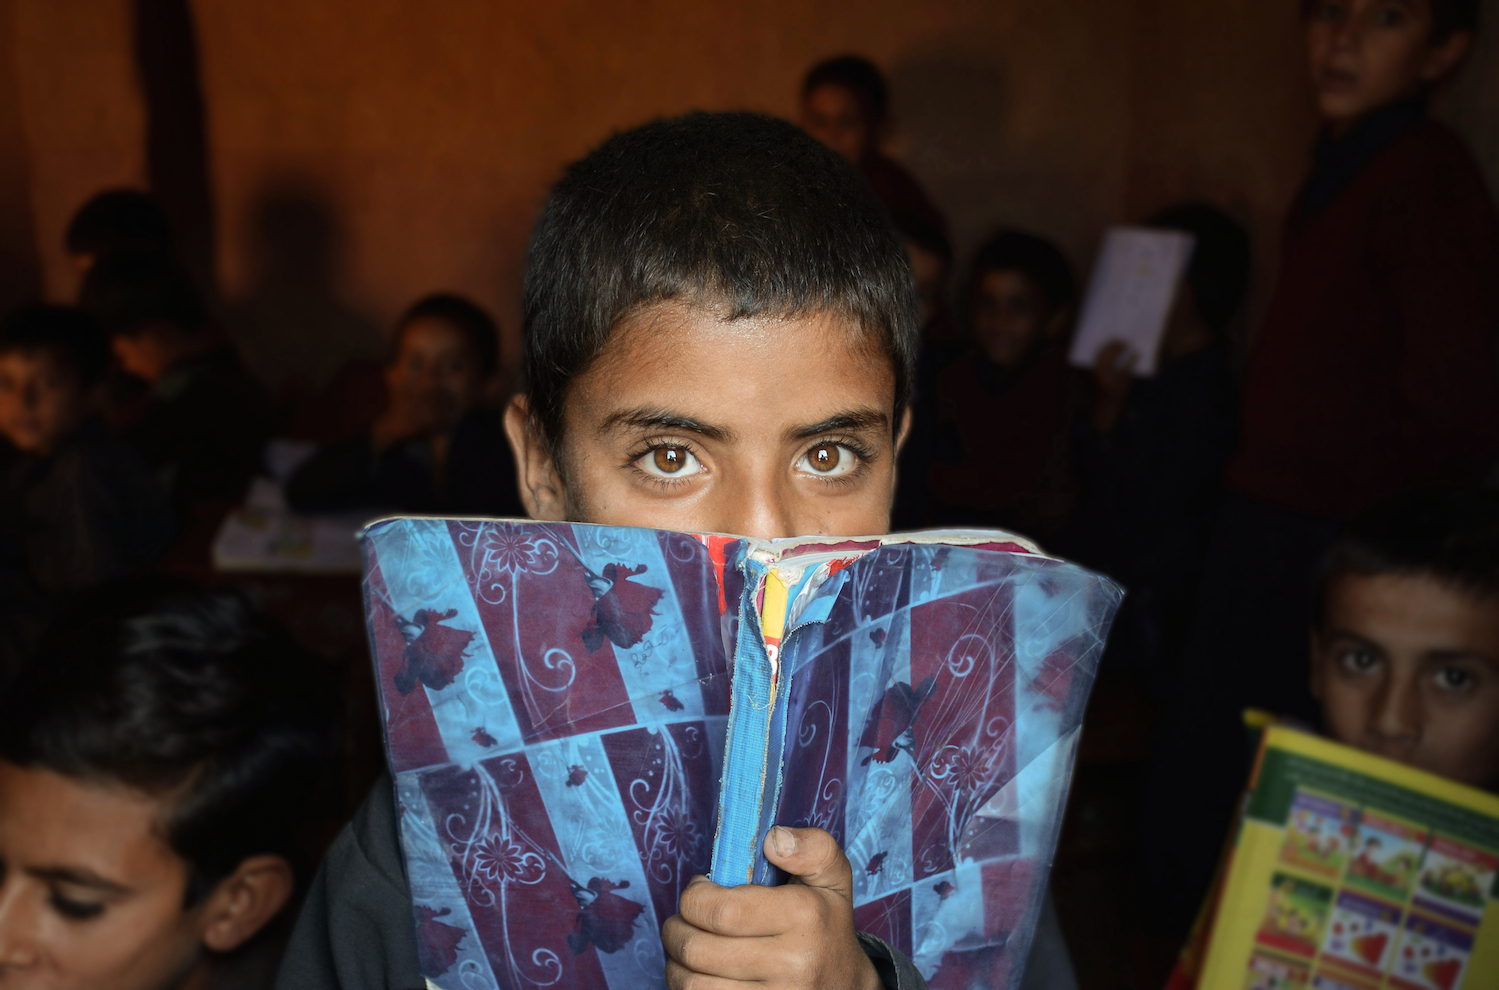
[435, 373]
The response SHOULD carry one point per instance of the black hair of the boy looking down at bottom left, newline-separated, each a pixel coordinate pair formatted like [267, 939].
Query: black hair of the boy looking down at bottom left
[190, 695]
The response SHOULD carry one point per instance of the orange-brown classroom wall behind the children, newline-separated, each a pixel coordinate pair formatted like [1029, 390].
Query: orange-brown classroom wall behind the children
[365, 152]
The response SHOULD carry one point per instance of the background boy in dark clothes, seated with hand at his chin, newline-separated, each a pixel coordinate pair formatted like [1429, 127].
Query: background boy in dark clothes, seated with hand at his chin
[434, 449]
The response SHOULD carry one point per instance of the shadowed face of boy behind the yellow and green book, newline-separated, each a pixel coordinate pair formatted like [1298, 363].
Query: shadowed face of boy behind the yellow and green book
[1408, 668]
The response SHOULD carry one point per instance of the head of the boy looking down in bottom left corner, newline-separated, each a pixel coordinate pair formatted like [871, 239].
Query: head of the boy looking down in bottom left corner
[160, 761]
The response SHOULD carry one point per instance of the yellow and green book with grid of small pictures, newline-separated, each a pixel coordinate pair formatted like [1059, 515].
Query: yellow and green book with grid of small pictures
[1353, 872]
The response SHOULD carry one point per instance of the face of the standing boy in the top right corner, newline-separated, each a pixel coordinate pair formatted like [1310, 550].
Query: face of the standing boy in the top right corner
[1366, 55]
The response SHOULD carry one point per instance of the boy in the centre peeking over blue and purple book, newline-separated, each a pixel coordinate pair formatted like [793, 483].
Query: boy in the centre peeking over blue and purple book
[720, 329]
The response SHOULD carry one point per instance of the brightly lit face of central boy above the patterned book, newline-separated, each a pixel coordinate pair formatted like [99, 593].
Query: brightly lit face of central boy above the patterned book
[765, 428]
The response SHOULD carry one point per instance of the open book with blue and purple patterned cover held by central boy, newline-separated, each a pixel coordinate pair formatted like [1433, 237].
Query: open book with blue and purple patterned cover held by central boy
[579, 719]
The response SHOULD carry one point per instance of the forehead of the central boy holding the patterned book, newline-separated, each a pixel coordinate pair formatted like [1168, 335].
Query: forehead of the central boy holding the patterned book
[686, 361]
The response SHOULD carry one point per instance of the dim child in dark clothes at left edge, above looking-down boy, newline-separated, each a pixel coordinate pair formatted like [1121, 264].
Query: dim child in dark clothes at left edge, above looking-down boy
[77, 508]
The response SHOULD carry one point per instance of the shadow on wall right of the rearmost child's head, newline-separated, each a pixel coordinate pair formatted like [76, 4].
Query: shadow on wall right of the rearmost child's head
[954, 110]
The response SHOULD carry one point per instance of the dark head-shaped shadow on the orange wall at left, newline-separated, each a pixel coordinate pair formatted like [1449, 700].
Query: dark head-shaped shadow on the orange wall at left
[292, 326]
